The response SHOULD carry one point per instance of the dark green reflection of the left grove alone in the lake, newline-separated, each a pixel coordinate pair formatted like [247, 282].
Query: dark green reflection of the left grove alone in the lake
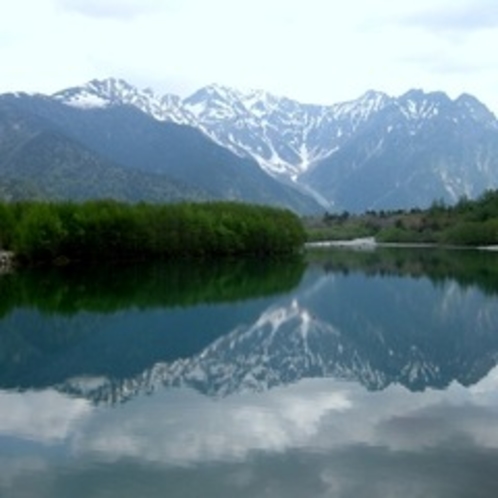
[111, 288]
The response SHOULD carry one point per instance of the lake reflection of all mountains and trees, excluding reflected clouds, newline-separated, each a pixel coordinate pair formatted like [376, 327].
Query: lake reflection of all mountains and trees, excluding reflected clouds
[374, 325]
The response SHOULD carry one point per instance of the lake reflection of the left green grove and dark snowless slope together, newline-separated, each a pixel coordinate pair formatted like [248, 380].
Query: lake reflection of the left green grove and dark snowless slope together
[117, 322]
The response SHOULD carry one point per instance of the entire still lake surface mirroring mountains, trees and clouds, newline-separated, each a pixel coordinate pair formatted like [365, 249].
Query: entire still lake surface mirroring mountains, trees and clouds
[355, 374]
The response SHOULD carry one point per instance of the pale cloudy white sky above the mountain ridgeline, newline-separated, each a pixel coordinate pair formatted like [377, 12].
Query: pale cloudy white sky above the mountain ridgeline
[314, 51]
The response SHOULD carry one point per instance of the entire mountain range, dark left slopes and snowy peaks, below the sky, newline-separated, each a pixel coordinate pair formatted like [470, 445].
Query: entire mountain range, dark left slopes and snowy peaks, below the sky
[110, 139]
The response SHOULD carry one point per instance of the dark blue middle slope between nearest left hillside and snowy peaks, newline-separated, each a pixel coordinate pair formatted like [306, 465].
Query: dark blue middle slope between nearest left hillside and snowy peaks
[124, 135]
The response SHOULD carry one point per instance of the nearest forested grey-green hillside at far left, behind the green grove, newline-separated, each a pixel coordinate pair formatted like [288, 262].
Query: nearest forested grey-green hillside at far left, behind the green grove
[40, 162]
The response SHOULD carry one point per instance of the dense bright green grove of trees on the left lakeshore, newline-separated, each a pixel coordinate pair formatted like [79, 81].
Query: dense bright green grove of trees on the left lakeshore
[110, 230]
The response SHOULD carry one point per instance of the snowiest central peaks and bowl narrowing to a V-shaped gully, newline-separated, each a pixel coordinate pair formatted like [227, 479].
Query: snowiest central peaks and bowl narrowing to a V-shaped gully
[283, 135]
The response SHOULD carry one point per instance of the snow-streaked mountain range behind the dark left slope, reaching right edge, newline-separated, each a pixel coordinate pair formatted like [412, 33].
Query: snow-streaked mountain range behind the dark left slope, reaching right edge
[374, 152]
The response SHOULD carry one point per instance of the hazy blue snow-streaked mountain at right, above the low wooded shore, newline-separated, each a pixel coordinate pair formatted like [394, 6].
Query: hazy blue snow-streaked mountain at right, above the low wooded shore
[418, 148]
